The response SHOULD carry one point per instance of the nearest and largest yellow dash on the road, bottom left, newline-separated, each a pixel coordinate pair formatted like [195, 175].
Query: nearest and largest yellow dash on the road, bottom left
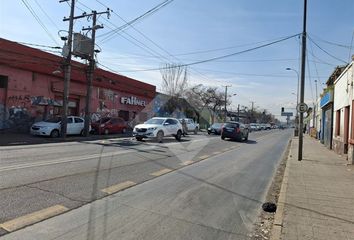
[32, 218]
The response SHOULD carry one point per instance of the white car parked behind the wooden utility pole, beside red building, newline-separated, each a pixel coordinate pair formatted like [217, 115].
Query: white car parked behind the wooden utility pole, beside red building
[51, 127]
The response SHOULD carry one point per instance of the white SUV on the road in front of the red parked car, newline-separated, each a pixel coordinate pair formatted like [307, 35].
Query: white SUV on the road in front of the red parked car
[158, 128]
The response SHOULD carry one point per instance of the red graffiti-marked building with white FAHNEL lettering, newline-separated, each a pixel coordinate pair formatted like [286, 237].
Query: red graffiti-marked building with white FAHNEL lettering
[31, 89]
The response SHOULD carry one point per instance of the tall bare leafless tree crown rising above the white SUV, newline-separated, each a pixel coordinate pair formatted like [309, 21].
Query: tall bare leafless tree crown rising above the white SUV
[174, 79]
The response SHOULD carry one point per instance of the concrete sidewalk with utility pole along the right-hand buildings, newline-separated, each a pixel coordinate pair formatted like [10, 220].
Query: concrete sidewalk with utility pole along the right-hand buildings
[317, 196]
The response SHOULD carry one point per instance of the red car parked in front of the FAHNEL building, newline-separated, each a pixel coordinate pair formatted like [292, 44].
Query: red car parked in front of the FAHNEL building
[109, 125]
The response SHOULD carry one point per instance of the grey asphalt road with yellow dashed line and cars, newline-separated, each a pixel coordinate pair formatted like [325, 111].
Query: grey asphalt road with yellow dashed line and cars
[200, 188]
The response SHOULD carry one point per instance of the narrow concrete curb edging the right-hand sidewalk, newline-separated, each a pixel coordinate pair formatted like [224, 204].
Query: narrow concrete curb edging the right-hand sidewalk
[279, 215]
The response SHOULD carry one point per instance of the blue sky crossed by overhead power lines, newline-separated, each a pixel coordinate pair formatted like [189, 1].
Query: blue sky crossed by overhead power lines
[186, 31]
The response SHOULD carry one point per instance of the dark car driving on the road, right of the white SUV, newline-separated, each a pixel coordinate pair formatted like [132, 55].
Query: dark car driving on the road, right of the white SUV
[234, 130]
